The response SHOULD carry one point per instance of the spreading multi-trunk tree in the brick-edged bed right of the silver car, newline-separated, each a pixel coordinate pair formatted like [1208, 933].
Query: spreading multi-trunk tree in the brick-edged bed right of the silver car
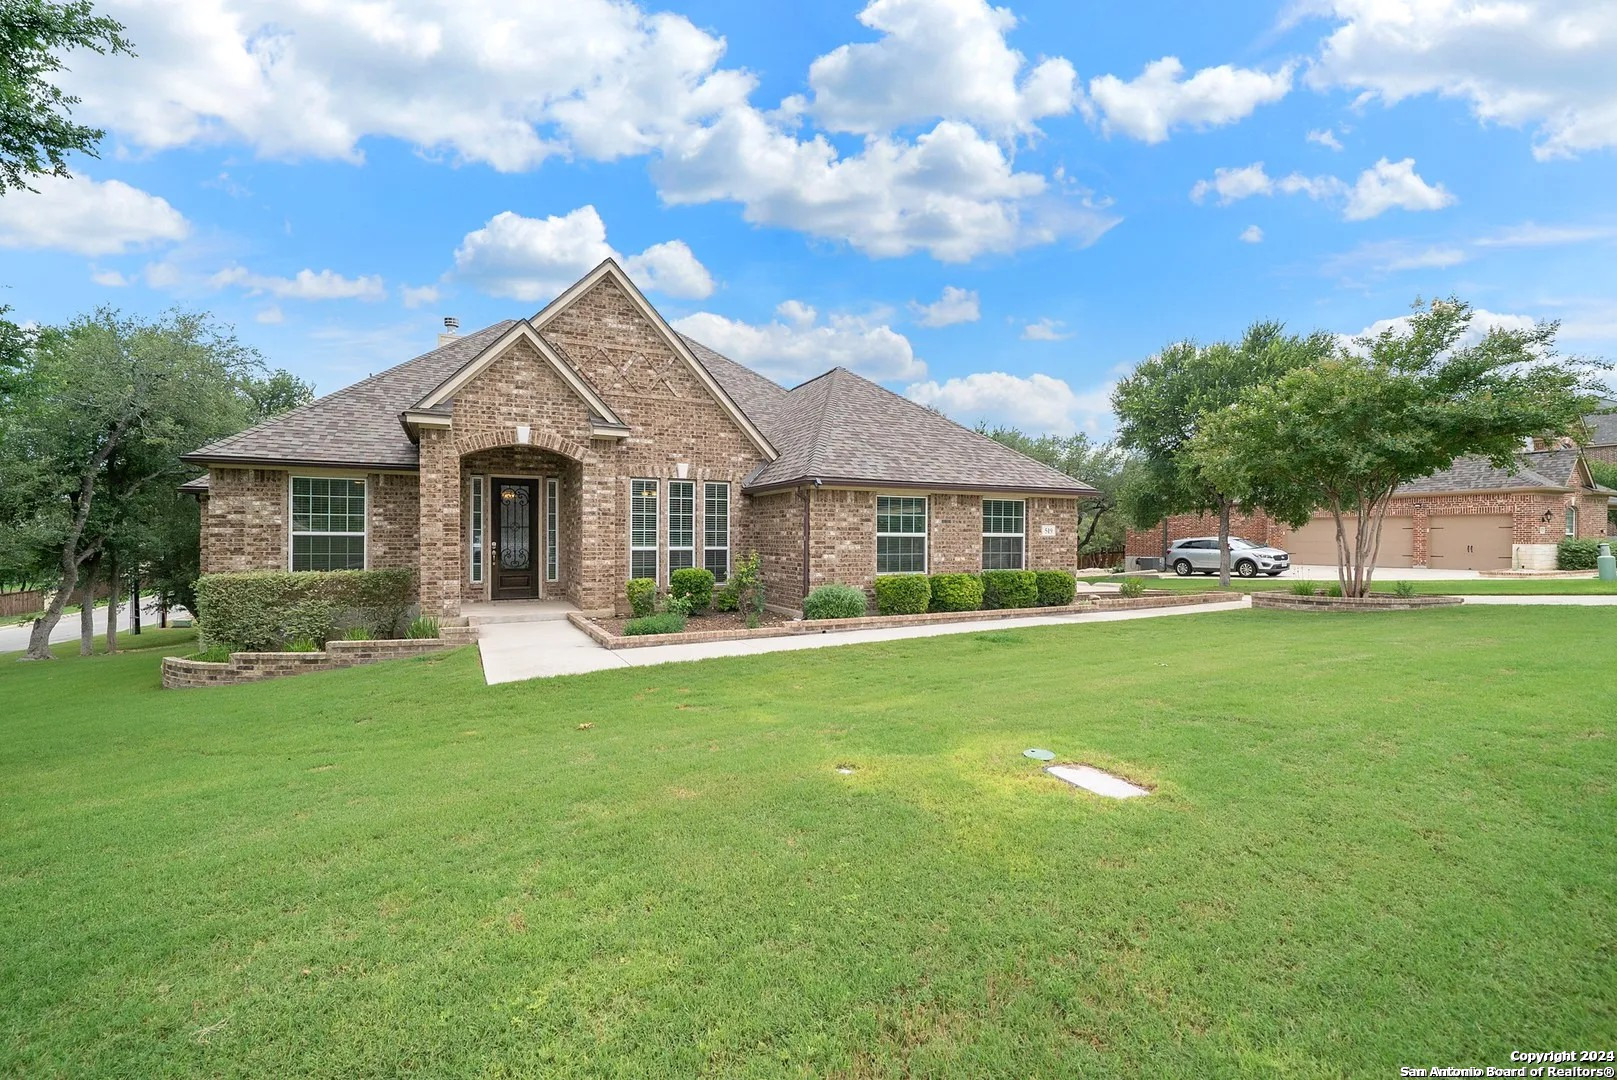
[1346, 432]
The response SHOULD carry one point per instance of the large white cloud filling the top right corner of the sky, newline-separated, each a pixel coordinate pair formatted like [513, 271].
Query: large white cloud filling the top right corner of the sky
[1543, 65]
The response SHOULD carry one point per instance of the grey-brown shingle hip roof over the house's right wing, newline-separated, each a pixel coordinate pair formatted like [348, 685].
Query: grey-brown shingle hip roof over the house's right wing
[842, 428]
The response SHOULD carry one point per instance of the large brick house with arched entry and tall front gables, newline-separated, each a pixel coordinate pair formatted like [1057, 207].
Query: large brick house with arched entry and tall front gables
[565, 454]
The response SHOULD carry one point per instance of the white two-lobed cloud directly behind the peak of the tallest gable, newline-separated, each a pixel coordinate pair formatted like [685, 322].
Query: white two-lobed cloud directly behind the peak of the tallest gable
[534, 259]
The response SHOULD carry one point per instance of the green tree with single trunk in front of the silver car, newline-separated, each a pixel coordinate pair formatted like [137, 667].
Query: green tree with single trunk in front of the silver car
[1167, 402]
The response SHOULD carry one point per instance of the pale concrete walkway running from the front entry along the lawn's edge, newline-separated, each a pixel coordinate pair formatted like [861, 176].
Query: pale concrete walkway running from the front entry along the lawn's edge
[551, 648]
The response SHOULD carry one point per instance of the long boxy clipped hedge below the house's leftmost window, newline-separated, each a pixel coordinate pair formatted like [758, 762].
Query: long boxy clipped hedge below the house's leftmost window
[263, 610]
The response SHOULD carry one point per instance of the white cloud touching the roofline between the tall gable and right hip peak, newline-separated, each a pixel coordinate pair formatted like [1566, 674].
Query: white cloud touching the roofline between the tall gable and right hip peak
[800, 347]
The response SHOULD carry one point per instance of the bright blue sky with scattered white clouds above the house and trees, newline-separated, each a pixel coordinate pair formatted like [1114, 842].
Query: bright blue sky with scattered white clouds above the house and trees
[995, 211]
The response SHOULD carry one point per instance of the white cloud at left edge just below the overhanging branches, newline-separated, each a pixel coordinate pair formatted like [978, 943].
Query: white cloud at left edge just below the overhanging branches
[88, 217]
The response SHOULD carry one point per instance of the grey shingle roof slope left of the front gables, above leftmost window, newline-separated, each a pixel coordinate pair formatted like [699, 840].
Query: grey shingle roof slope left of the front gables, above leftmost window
[360, 424]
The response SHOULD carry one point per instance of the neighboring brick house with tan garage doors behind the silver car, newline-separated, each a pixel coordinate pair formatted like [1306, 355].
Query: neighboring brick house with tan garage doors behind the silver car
[1469, 517]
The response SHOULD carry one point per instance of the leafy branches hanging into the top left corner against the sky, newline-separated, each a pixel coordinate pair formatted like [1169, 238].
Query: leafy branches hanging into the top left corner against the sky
[36, 127]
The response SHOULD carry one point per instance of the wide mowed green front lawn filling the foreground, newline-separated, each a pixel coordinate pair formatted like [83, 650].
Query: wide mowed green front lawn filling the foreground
[1374, 842]
